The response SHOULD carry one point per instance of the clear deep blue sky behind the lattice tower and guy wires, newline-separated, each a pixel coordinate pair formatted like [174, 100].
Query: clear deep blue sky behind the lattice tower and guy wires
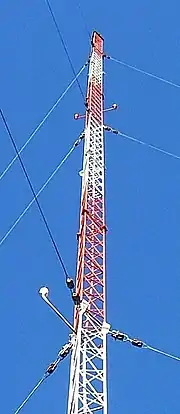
[143, 199]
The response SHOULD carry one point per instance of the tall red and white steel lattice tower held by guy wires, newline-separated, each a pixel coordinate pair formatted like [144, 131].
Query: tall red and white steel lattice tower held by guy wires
[88, 388]
